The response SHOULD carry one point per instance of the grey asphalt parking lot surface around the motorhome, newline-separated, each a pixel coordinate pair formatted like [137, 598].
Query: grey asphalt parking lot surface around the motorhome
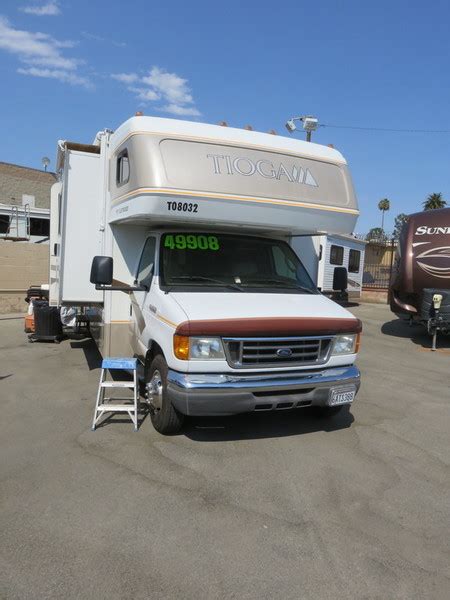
[279, 505]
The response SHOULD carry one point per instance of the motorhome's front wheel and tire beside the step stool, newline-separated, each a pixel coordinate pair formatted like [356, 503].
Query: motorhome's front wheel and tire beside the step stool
[165, 418]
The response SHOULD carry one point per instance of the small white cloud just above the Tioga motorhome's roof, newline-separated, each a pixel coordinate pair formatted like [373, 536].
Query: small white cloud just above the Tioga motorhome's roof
[158, 84]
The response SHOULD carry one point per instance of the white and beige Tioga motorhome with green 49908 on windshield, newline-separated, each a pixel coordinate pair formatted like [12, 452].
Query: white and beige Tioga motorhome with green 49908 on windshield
[206, 289]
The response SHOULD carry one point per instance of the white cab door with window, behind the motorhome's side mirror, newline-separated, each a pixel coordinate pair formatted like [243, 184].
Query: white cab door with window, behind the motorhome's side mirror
[139, 299]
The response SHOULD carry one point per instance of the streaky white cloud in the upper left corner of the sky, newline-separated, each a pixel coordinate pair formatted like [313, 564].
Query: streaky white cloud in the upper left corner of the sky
[41, 53]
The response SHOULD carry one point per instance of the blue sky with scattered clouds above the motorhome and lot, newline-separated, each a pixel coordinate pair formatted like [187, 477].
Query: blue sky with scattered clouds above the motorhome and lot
[72, 67]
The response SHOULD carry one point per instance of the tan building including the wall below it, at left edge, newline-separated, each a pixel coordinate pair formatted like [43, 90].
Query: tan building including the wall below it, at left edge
[24, 232]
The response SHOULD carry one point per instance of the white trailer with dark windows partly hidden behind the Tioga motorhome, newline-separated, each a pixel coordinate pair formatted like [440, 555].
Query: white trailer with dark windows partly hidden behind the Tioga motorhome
[324, 255]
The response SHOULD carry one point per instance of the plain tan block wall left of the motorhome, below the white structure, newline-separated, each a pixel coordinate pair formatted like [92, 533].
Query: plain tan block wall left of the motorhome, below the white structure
[21, 265]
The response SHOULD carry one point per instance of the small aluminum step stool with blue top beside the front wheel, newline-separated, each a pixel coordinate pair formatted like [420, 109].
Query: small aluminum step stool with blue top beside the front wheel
[108, 405]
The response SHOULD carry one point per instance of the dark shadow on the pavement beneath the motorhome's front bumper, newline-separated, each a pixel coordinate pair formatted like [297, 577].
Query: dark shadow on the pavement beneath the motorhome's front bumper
[273, 424]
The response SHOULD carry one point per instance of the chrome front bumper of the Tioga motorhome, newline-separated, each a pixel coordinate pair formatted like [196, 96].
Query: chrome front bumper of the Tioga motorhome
[204, 394]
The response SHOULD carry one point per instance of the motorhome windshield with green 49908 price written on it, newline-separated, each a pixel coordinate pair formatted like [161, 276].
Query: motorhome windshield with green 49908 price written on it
[235, 262]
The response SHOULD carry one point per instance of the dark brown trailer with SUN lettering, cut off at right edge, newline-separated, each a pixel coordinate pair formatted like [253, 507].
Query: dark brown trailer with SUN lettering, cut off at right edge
[420, 282]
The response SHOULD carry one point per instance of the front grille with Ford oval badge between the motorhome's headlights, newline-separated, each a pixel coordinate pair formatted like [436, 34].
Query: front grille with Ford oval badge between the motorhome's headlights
[276, 352]
